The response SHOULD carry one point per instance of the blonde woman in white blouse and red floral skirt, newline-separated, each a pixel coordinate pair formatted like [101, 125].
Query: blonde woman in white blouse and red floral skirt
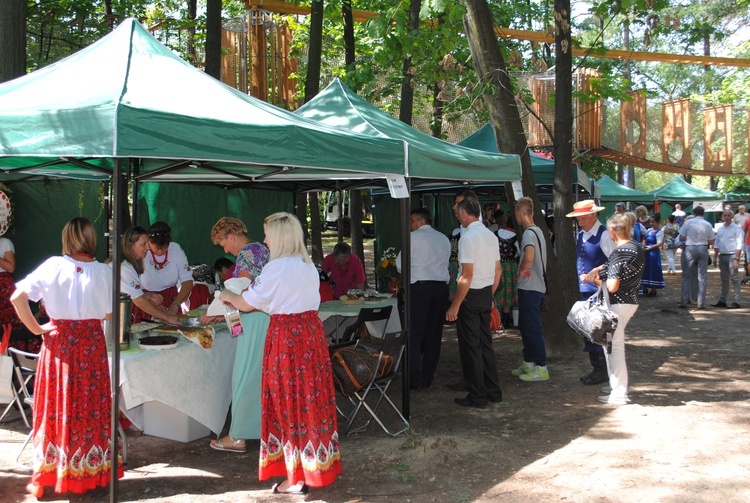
[299, 430]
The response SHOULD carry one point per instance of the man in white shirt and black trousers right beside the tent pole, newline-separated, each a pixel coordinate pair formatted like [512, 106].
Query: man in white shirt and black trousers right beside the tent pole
[430, 252]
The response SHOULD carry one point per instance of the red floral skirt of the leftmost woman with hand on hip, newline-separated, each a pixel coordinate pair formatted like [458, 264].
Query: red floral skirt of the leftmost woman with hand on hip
[72, 409]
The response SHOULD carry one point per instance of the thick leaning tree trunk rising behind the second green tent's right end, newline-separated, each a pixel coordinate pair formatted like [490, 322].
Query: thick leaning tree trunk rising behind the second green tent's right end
[506, 121]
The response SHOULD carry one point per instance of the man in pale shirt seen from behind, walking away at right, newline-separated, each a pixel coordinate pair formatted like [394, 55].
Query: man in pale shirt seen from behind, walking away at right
[697, 235]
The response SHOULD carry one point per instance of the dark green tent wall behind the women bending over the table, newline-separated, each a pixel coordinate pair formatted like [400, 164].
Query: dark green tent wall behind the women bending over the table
[191, 223]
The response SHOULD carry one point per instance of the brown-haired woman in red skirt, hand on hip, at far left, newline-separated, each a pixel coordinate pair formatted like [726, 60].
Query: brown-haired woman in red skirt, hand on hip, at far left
[72, 402]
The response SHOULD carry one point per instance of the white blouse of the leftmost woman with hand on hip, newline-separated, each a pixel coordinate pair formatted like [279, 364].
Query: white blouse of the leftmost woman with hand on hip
[71, 290]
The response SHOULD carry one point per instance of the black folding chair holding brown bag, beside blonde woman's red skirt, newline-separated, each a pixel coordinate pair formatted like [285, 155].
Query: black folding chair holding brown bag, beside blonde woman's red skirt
[392, 344]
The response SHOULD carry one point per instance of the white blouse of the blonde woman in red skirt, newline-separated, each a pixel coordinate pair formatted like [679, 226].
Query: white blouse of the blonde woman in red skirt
[286, 285]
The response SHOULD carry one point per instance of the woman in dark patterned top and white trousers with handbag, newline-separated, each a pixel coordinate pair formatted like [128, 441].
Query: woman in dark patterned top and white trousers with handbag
[622, 276]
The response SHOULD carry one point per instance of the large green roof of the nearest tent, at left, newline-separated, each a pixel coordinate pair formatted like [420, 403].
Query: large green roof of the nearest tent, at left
[128, 96]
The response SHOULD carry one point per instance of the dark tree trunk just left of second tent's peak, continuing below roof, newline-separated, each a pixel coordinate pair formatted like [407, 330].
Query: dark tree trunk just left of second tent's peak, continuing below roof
[312, 87]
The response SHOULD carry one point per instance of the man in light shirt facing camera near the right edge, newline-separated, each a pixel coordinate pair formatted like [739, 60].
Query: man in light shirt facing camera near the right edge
[727, 252]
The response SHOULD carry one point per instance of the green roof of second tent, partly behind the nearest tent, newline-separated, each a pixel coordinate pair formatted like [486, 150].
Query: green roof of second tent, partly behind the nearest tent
[429, 158]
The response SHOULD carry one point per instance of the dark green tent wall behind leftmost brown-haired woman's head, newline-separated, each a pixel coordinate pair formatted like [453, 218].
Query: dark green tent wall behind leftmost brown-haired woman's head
[40, 211]
